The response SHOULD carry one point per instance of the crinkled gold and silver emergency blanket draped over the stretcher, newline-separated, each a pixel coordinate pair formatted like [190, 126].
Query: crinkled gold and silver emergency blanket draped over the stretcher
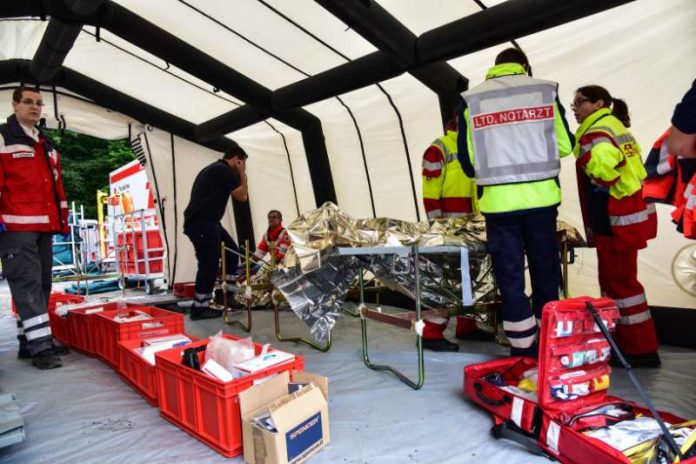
[314, 279]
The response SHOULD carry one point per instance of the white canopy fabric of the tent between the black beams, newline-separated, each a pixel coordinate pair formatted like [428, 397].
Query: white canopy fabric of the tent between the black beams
[374, 136]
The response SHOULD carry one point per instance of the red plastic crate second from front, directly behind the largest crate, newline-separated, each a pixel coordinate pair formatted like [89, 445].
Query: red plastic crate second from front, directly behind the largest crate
[137, 372]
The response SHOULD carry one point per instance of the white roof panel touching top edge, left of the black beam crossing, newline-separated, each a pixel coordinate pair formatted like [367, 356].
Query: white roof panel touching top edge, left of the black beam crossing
[238, 37]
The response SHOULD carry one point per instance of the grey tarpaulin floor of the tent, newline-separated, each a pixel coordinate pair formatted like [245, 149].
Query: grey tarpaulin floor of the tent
[84, 413]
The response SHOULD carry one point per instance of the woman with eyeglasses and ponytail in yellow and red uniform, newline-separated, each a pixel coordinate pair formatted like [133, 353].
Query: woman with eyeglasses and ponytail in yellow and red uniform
[618, 222]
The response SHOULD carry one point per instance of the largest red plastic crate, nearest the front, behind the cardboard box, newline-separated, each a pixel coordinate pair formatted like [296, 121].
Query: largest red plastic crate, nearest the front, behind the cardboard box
[205, 407]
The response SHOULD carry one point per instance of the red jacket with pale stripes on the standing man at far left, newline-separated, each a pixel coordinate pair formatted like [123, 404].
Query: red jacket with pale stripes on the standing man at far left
[32, 198]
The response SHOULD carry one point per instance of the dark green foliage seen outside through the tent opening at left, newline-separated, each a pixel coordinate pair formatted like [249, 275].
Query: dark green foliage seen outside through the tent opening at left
[86, 163]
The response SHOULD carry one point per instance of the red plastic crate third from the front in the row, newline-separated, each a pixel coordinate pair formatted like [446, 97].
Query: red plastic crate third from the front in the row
[110, 332]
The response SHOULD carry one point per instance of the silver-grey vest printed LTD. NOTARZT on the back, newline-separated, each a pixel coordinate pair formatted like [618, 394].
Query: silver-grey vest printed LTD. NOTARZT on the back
[513, 130]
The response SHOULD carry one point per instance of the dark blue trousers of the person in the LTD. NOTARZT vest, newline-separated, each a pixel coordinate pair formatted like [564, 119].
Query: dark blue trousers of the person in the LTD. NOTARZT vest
[509, 239]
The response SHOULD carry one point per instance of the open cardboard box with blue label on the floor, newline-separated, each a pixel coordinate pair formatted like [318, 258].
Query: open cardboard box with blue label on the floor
[301, 419]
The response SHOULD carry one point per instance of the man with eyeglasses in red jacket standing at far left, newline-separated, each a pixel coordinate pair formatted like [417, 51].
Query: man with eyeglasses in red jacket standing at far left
[33, 207]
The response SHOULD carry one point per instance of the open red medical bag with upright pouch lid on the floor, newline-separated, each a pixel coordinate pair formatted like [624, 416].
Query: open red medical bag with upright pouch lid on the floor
[573, 378]
